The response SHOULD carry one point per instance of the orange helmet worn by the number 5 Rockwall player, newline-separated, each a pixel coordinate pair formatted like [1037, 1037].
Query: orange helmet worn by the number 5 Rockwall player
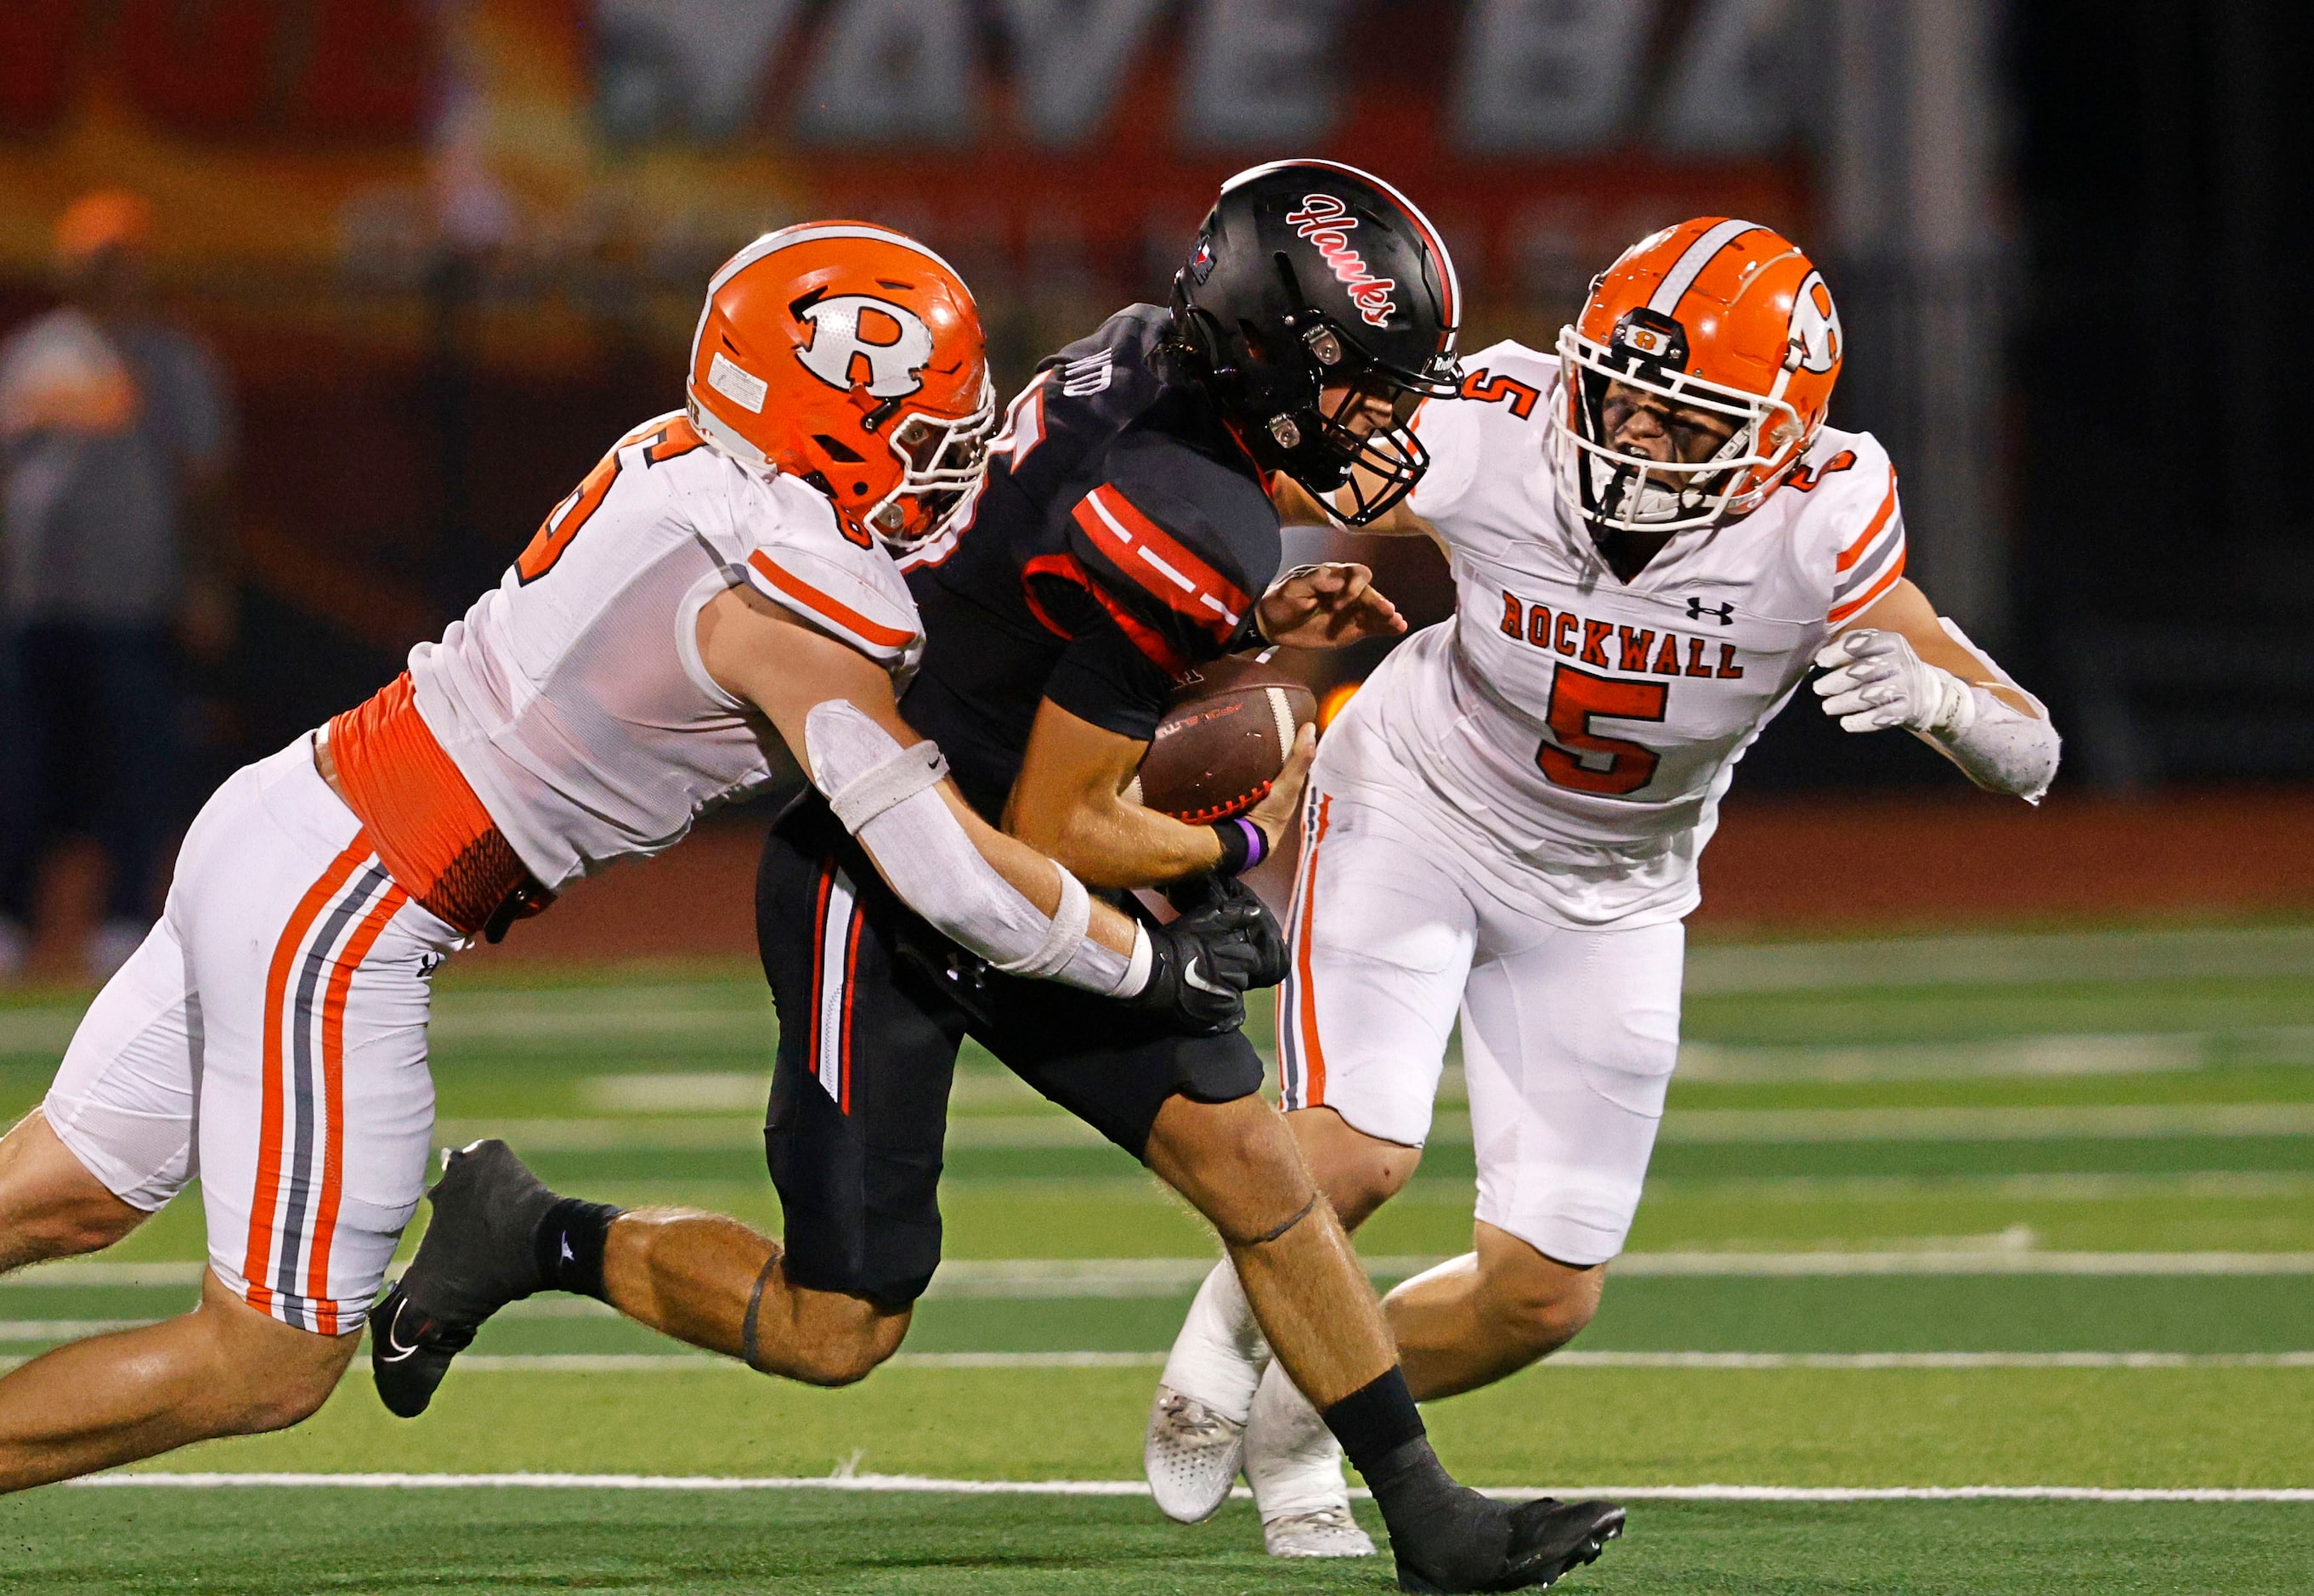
[1711, 316]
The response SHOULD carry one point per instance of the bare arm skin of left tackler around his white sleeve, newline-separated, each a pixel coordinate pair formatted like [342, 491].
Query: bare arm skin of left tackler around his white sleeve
[786, 670]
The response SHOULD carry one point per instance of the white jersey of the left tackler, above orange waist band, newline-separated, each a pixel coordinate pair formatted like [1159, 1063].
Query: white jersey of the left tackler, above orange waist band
[573, 695]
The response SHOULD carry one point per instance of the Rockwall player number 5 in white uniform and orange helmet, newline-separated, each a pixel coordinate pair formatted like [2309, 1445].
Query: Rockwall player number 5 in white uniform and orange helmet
[1653, 538]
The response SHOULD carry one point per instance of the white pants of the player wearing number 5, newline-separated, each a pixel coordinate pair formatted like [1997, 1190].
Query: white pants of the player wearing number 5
[1568, 1035]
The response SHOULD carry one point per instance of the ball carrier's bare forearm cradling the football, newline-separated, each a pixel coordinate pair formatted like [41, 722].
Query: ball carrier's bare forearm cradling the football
[1070, 804]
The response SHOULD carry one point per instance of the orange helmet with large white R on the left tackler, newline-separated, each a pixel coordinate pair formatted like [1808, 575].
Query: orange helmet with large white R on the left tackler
[850, 357]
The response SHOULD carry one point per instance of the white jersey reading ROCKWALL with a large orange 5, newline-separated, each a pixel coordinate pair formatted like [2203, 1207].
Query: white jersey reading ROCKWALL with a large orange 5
[1584, 723]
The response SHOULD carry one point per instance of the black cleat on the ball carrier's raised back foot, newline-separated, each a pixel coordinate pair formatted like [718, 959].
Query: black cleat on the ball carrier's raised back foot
[480, 1253]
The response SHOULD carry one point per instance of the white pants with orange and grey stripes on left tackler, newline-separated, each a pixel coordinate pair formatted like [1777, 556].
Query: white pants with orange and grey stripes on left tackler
[270, 1037]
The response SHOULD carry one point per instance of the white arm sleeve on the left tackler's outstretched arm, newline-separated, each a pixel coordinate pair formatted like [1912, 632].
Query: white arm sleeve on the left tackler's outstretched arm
[885, 797]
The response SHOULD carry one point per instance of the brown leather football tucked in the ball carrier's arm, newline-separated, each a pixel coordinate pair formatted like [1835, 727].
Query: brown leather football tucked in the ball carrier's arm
[1223, 741]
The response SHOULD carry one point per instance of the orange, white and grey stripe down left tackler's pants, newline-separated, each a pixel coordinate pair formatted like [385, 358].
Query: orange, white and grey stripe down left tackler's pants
[302, 1104]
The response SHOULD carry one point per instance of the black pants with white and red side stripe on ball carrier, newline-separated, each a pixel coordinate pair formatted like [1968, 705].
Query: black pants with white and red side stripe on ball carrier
[874, 1007]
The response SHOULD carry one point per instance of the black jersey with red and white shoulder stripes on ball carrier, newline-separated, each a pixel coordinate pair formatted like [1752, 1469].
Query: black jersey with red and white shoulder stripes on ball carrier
[1121, 540]
